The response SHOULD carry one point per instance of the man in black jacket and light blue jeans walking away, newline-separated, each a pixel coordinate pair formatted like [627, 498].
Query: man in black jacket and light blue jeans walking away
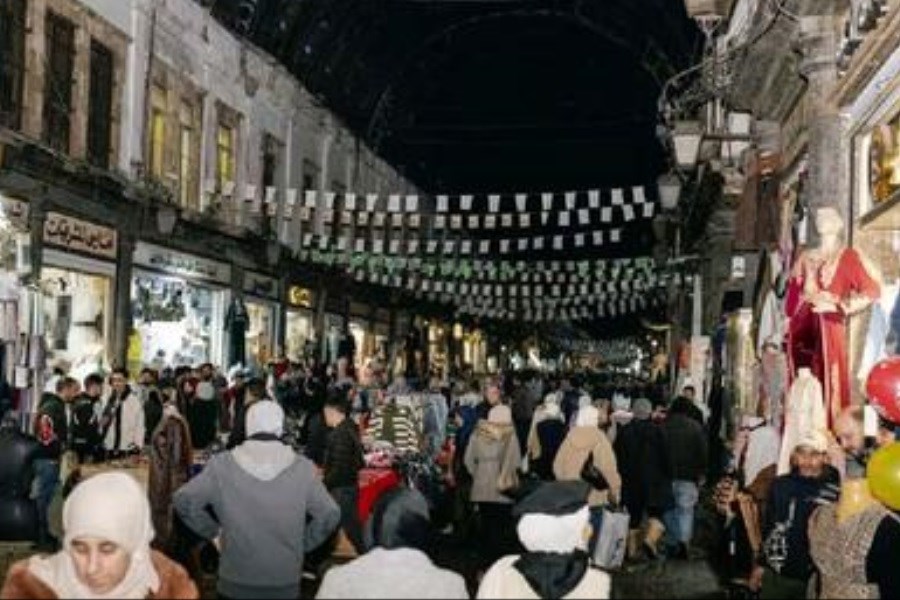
[686, 446]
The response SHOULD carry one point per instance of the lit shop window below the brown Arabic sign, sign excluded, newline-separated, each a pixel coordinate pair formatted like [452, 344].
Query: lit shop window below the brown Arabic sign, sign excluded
[76, 317]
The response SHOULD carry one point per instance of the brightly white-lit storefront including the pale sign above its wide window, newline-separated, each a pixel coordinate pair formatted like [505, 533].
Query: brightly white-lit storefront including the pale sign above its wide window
[179, 305]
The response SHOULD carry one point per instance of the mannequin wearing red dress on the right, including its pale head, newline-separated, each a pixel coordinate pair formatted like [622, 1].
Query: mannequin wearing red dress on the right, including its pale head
[835, 284]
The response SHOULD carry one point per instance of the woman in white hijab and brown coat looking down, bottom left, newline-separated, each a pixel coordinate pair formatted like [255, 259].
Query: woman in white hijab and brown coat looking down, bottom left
[106, 550]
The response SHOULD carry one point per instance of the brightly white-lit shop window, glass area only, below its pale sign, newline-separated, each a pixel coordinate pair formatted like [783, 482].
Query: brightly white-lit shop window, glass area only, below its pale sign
[176, 320]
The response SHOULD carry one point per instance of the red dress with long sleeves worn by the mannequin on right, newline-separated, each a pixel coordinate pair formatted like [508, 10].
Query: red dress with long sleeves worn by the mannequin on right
[819, 341]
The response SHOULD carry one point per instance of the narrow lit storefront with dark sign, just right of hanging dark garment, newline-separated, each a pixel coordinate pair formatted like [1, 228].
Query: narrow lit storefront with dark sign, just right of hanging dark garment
[261, 299]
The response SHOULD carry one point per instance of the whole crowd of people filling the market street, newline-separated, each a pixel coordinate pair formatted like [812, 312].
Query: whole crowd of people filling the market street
[260, 474]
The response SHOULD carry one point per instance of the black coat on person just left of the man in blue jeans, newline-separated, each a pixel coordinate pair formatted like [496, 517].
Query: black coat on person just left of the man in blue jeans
[644, 465]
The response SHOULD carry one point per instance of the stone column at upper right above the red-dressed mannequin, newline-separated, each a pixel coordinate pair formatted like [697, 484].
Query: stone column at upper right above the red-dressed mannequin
[828, 156]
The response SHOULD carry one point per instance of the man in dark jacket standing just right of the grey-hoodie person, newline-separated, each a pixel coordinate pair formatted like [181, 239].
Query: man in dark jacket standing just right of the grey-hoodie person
[343, 461]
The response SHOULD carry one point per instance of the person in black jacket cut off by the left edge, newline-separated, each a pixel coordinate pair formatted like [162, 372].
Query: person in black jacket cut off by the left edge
[18, 452]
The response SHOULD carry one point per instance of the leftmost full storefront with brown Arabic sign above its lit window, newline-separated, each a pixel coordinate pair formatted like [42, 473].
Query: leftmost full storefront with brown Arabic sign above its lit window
[77, 284]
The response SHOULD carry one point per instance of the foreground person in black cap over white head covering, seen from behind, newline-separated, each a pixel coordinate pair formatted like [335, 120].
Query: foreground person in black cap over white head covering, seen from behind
[554, 527]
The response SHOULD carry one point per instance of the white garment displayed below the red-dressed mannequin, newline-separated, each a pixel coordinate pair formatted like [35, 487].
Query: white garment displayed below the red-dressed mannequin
[804, 413]
